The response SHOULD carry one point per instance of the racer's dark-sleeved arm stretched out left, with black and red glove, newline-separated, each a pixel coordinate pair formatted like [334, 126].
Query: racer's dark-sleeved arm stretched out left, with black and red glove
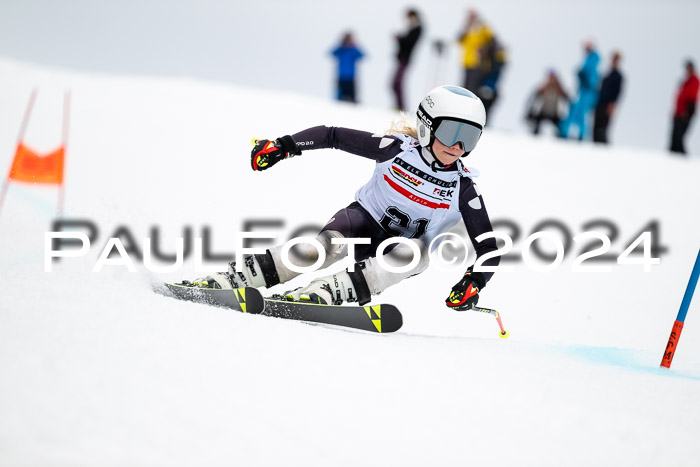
[380, 148]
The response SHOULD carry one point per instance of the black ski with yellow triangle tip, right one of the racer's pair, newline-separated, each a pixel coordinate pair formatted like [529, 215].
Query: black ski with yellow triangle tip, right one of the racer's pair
[377, 318]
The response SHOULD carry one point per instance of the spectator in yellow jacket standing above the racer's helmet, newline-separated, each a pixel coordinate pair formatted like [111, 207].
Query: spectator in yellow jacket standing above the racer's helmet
[475, 39]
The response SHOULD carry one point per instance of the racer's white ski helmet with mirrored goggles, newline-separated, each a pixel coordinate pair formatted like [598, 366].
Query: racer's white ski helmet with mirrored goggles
[452, 115]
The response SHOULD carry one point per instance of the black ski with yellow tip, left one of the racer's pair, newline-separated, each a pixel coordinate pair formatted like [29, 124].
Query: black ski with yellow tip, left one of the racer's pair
[247, 300]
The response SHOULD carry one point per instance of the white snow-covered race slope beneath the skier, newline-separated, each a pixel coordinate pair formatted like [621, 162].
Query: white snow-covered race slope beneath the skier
[98, 370]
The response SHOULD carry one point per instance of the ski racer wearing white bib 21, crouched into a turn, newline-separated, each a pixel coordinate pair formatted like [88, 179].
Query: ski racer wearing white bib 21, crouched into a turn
[419, 189]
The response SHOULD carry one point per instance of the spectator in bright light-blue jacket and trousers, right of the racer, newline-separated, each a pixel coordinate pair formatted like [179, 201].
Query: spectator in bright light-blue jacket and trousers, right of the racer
[588, 85]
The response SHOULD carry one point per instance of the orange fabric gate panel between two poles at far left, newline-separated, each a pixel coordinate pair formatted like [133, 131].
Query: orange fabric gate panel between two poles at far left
[28, 166]
